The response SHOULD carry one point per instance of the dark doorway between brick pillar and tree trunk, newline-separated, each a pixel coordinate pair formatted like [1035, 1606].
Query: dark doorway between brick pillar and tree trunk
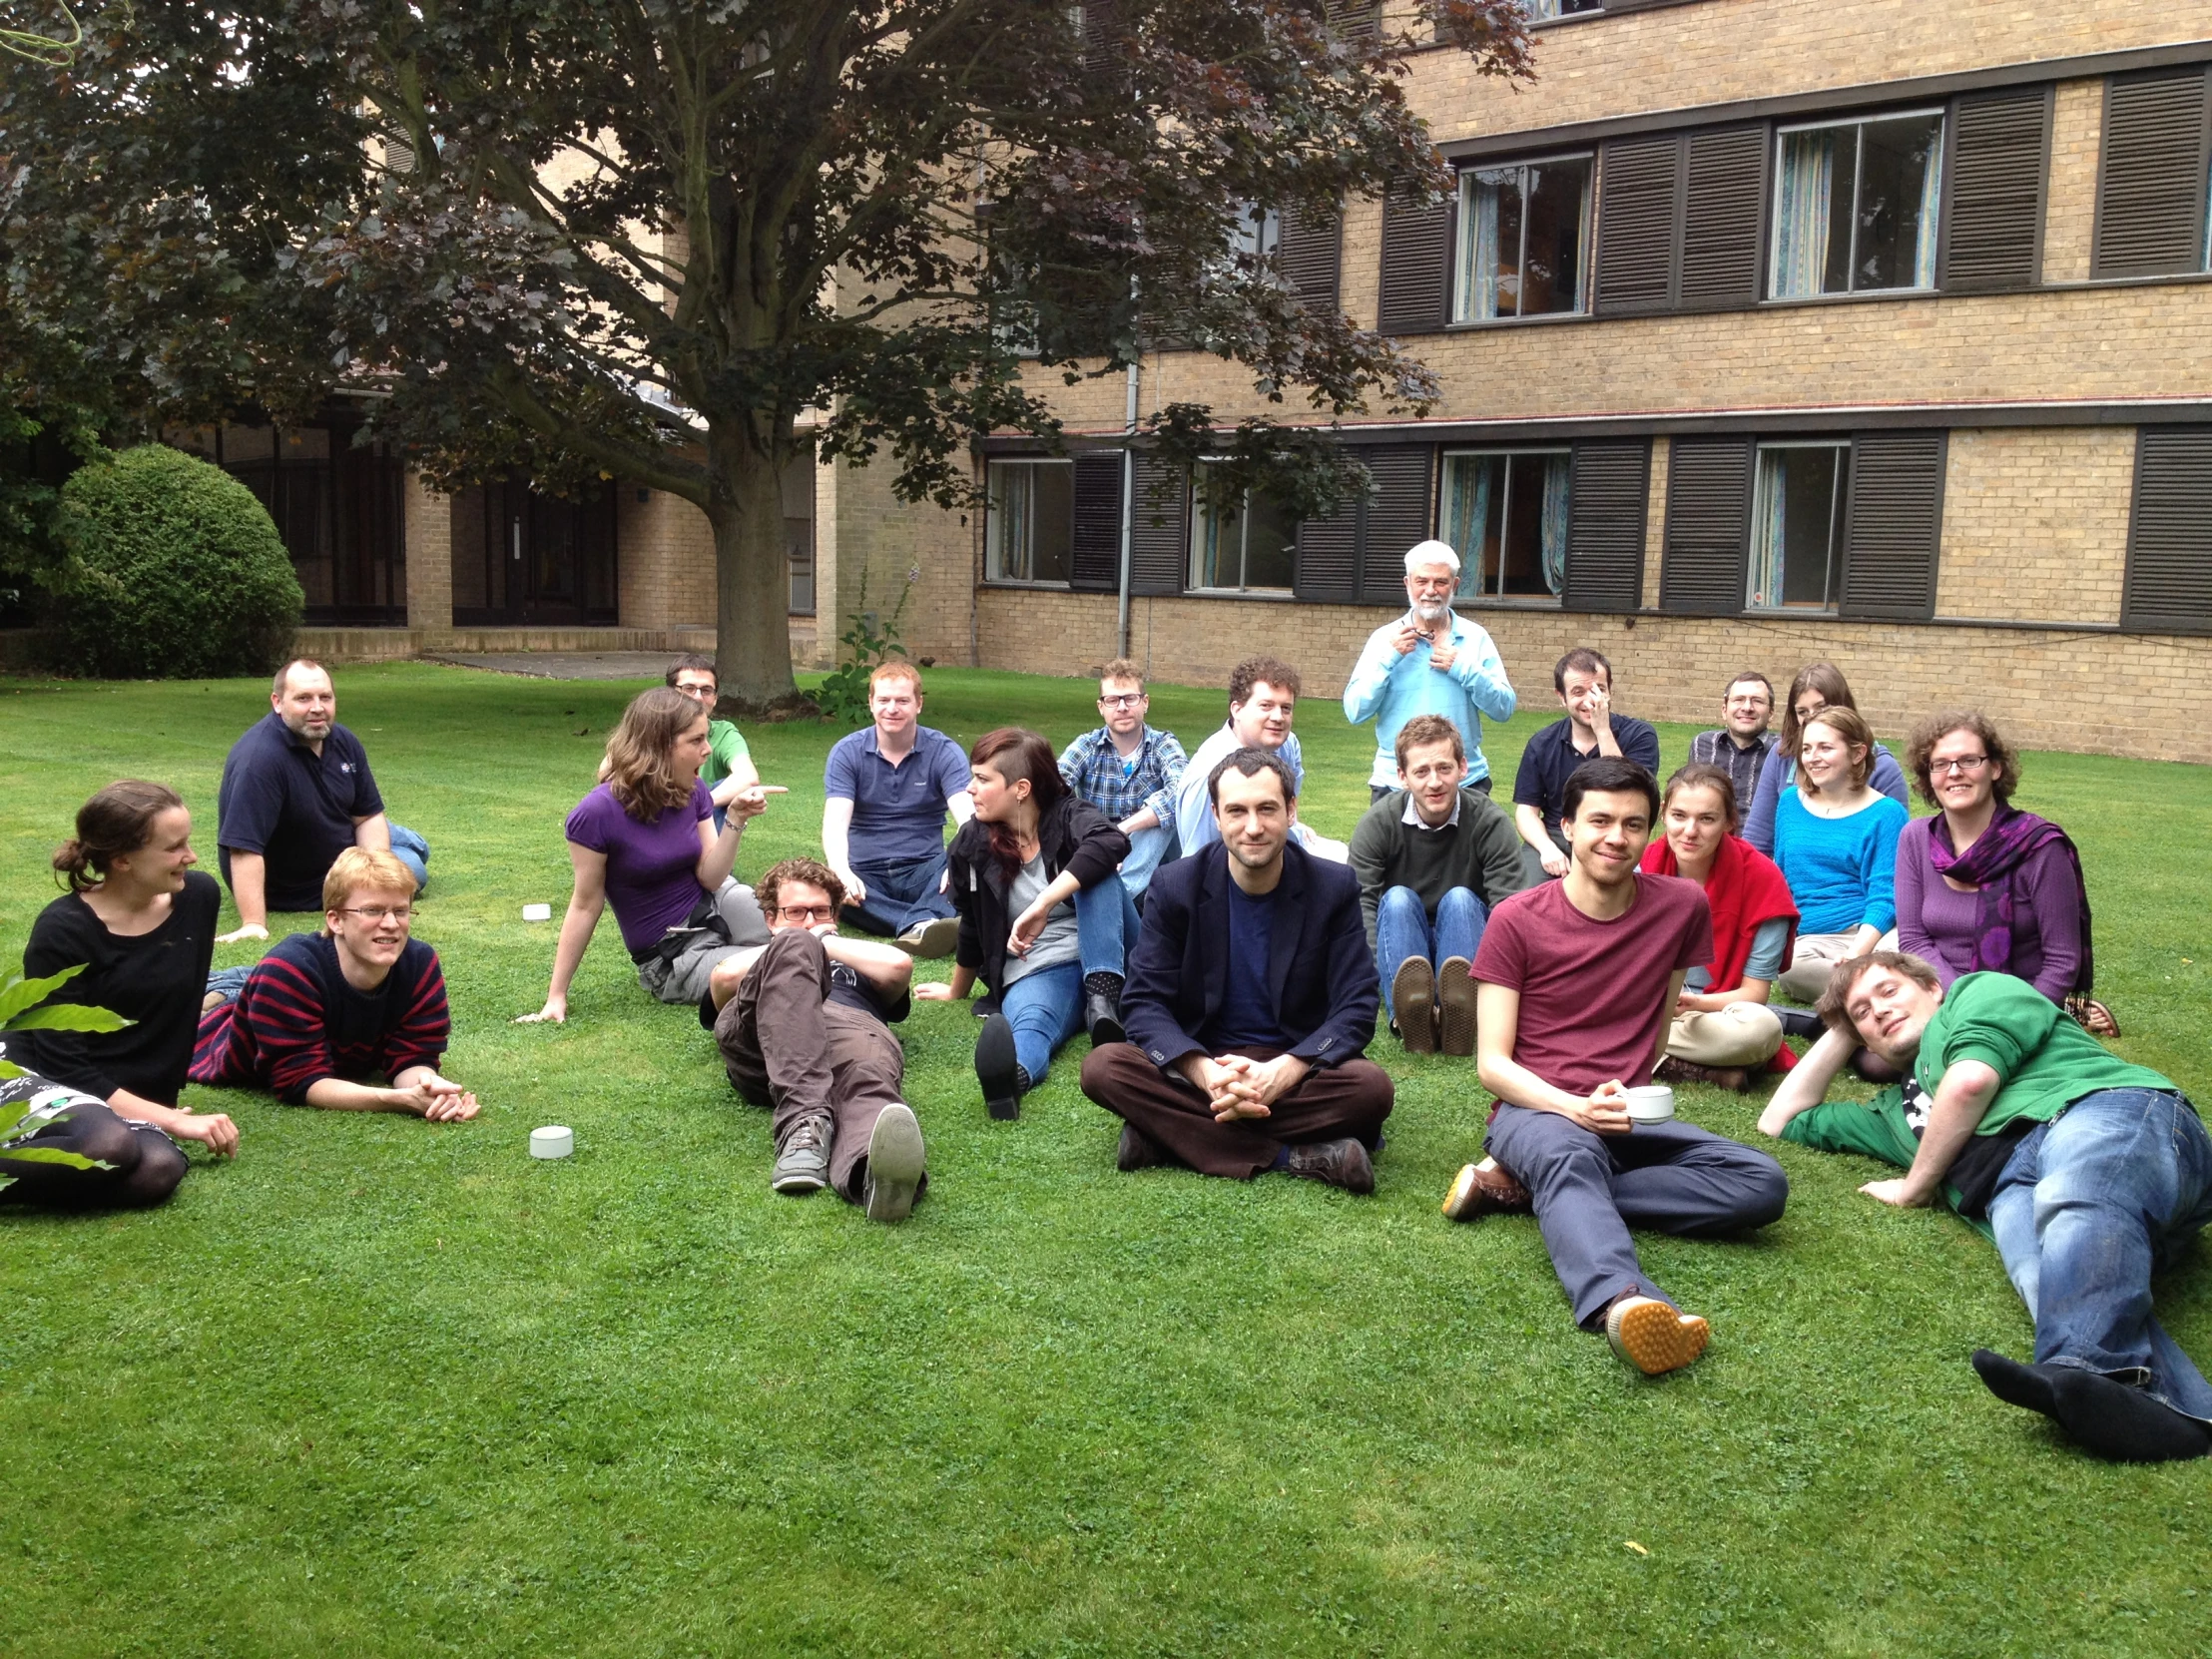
[532, 559]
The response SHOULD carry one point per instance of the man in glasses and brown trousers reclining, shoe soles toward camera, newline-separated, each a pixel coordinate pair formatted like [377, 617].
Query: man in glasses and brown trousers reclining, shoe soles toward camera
[802, 1030]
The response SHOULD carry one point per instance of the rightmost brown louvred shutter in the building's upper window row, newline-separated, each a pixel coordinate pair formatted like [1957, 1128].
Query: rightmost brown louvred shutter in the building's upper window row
[2151, 189]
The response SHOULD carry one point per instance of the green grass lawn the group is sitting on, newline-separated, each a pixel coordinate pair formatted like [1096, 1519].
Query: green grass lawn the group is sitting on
[397, 1388]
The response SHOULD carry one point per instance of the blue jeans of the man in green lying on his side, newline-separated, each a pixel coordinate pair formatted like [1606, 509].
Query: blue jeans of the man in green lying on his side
[2089, 1207]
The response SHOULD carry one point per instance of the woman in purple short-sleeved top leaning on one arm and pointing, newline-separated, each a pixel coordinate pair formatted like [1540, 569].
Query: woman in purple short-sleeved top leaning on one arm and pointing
[645, 842]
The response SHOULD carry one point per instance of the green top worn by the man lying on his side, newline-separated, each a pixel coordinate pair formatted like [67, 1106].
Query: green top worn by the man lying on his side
[2045, 1063]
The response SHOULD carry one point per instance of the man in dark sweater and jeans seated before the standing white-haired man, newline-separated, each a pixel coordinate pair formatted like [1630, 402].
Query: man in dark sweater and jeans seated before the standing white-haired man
[1432, 859]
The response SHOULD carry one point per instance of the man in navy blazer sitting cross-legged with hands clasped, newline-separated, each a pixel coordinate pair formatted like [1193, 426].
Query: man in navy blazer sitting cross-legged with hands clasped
[1249, 1003]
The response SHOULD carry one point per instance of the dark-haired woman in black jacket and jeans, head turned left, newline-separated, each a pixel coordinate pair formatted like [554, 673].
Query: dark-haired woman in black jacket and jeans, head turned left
[1045, 924]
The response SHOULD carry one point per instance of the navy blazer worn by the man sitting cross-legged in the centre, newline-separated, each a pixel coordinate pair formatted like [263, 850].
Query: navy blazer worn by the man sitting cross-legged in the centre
[1322, 977]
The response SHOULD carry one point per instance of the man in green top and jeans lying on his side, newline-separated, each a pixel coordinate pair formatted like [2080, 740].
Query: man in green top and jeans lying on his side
[2085, 1169]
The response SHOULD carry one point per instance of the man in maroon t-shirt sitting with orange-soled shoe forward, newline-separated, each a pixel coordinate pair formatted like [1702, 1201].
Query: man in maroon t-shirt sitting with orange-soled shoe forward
[1576, 988]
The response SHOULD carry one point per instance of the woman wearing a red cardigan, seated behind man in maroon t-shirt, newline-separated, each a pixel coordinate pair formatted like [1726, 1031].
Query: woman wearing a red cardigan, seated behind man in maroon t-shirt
[1724, 1030]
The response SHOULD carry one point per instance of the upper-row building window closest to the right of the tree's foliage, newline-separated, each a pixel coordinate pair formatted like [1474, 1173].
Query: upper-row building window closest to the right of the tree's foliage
[1523, 240]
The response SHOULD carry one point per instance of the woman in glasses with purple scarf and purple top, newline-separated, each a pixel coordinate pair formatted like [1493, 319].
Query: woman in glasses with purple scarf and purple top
[1987, 886]
